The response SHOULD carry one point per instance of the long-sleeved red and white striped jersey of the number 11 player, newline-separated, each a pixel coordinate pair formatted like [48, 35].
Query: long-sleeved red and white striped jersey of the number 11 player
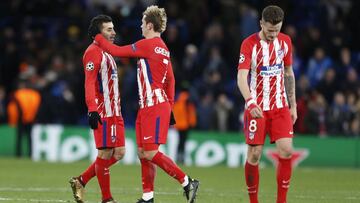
[101, 82]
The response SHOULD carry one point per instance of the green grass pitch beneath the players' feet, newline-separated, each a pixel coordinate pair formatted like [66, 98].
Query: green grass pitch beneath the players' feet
[26, 181]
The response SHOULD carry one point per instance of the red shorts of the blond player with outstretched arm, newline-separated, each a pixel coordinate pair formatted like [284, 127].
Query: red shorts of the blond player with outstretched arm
[152, 124]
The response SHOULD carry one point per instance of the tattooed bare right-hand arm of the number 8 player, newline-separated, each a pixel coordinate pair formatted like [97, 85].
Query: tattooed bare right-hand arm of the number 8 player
[289, 82]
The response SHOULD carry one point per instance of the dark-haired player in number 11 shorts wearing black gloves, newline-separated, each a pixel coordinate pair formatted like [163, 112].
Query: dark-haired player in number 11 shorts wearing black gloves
[104, 112]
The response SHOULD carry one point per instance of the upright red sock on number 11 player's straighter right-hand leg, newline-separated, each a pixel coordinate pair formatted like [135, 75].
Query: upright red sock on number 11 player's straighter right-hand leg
[103, 176]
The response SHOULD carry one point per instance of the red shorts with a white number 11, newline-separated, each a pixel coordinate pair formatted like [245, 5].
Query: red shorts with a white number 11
[110, 134]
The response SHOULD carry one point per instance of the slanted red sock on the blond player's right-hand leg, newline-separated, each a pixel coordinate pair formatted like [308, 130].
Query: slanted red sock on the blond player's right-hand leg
[166, 164]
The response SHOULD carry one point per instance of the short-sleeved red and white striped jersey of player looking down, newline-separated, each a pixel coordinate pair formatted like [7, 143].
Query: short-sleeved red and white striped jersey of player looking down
[266, 62]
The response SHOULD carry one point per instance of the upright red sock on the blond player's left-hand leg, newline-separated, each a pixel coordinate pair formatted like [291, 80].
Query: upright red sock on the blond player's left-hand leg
[148, 172]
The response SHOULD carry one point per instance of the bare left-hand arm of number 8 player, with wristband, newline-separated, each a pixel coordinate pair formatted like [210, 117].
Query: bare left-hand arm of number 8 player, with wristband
[242, 77]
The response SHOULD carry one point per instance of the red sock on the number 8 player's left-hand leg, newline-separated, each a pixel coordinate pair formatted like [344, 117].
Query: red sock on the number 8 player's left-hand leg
[252, 181]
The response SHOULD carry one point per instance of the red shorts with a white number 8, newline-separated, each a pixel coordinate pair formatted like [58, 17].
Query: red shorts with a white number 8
[277, 123]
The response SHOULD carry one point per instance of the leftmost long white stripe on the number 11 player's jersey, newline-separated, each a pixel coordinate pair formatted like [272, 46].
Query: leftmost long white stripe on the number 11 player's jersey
[105, 82]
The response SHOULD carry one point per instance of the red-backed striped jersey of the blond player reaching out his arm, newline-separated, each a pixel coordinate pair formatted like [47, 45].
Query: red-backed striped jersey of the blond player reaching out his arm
[155, 77]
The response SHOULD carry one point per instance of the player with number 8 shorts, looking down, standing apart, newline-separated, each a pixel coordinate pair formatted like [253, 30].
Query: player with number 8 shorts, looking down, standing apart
[266, 61]
